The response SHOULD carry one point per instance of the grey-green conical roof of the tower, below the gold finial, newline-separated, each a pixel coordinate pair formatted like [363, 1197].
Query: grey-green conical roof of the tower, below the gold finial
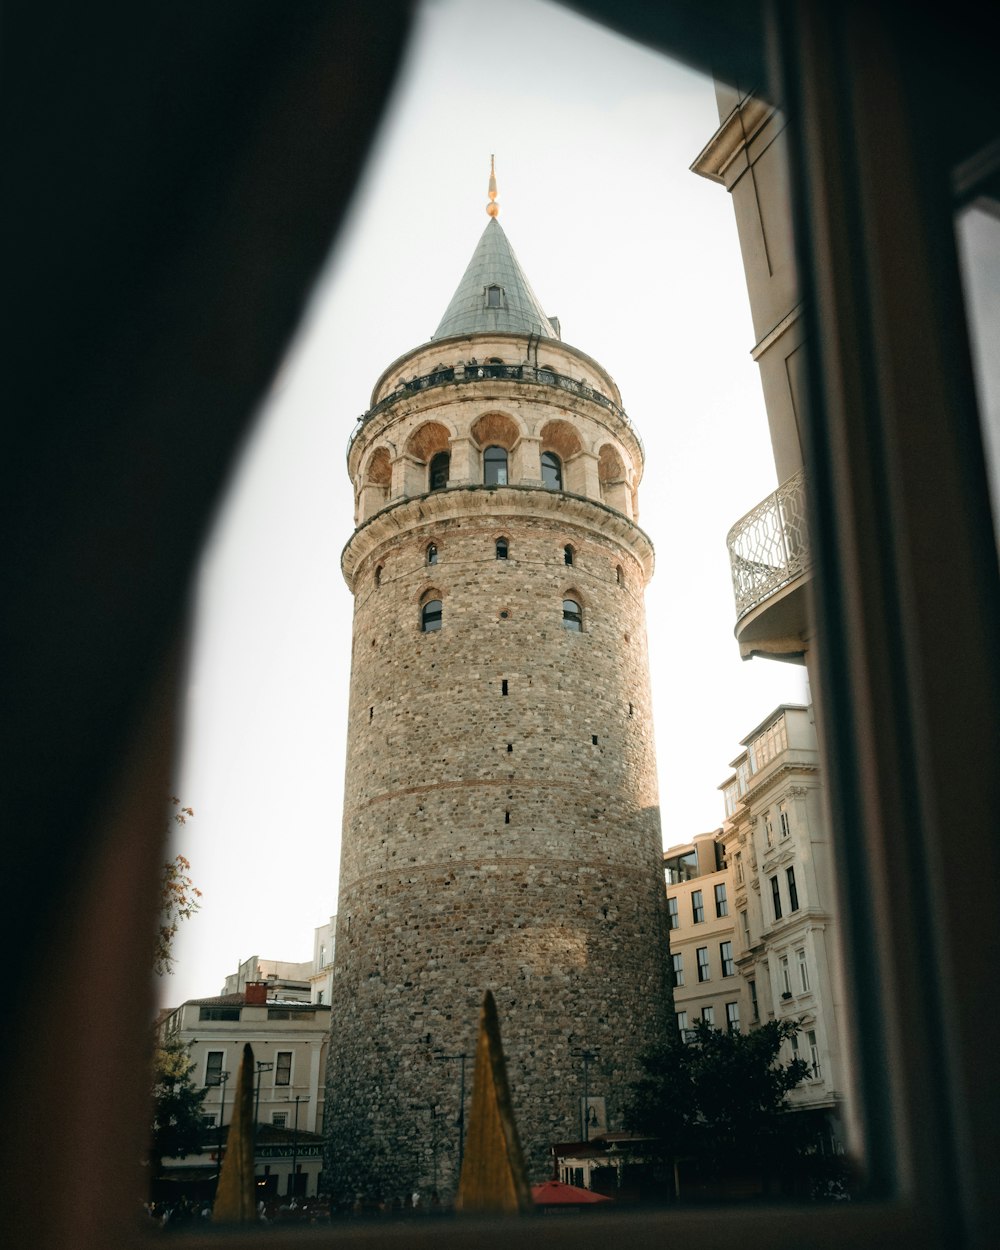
[474, 311]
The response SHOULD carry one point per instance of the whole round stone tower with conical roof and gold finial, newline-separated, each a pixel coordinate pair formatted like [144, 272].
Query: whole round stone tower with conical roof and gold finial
[501, 818]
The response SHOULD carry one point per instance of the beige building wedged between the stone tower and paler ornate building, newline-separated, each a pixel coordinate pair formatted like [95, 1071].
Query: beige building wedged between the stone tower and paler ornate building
[699, 898]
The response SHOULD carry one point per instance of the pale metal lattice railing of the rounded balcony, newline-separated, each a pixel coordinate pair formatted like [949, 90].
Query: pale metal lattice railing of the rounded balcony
[769, 548]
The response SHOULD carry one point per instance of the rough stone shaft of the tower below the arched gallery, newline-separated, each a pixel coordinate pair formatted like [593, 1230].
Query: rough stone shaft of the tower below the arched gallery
[504, 842]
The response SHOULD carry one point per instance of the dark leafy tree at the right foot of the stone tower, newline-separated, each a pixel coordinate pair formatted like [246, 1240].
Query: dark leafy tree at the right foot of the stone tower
[721, 1101]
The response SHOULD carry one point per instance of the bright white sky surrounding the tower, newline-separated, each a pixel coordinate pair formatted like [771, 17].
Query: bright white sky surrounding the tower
[639, 259]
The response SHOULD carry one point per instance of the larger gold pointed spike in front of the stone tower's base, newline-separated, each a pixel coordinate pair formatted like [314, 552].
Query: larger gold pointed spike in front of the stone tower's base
[493, 1177]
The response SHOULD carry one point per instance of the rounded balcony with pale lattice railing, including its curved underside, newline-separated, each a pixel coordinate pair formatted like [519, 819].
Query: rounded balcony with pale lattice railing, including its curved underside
[771, 563]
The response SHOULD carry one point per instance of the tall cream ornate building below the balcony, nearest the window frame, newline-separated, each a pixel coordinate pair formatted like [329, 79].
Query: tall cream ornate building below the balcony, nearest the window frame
[777, 843]
